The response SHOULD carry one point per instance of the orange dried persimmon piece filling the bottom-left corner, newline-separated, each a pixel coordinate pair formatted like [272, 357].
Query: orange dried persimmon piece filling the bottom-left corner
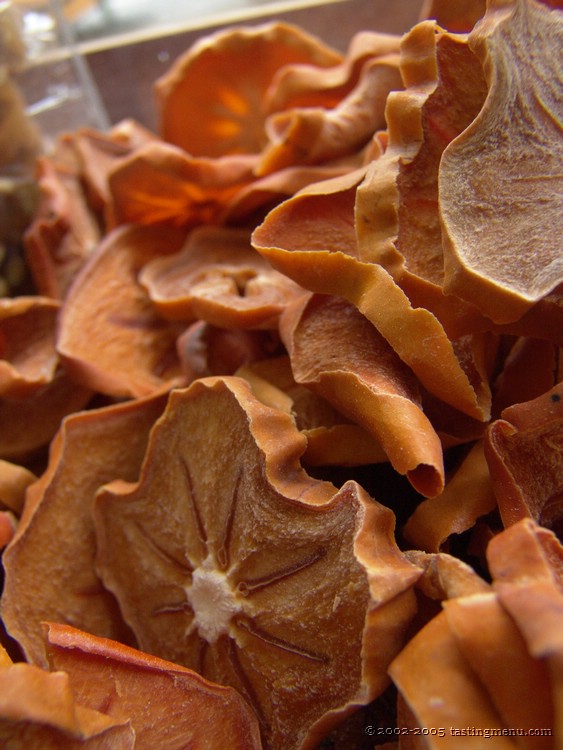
[39, 711]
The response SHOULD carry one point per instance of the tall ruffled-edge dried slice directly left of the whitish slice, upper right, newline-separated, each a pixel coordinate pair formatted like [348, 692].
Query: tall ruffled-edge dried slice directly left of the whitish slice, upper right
[397, 204]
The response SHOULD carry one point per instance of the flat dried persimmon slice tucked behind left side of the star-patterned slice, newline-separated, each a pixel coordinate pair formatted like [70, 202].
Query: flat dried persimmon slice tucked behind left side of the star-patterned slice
[49, 574]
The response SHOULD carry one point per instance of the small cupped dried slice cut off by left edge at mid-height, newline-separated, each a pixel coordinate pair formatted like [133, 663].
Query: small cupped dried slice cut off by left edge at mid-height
[28, 359]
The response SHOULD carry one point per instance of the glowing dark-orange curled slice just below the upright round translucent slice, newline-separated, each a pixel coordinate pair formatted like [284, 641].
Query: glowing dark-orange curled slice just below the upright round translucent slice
[161, 183]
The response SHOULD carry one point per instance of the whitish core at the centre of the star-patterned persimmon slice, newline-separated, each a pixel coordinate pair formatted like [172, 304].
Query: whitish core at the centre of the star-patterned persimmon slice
[212, 599]
